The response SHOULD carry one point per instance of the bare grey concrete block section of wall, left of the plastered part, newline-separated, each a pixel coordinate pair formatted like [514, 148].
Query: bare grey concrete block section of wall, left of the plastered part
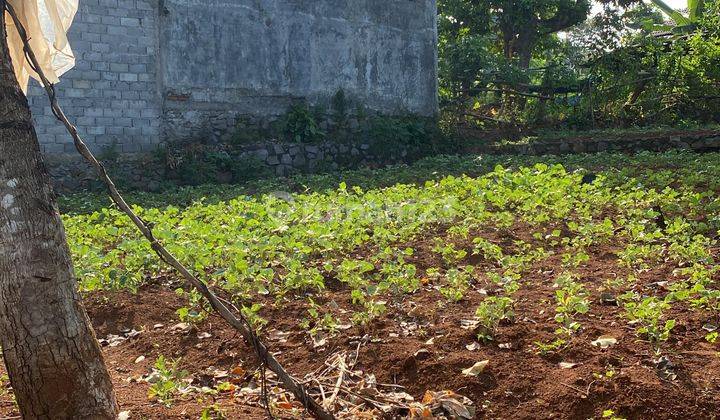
[112, 93]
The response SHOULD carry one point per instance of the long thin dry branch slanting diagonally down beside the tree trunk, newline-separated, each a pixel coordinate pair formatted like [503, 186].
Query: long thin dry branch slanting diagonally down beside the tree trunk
[236, 320]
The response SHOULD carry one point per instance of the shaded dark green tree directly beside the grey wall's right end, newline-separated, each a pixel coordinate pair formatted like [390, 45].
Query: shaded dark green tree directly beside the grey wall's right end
[487, 46]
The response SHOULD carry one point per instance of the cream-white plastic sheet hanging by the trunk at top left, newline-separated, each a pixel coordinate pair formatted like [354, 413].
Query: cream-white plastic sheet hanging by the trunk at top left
[47, 23]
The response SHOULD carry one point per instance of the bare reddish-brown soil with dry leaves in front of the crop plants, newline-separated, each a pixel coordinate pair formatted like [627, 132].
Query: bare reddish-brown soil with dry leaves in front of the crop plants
[518, 383]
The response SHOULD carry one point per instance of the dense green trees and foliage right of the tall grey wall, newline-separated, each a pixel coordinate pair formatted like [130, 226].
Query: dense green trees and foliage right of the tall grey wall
[612, 69]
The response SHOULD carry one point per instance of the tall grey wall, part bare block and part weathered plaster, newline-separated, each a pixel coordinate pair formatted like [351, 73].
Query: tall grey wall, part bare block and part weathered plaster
[152, 71]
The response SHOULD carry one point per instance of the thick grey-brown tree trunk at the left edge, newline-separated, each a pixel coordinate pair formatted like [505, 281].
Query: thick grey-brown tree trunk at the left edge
[54, 362]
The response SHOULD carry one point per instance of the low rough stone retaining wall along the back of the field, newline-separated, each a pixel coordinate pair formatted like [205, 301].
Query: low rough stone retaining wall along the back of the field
[148, 171]
